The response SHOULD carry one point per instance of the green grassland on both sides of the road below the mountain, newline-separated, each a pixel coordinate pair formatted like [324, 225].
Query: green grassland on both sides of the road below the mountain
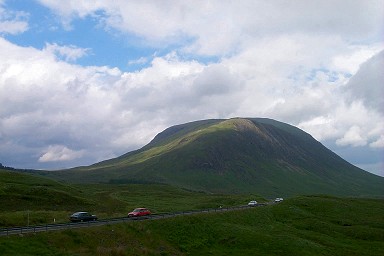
[301, 225]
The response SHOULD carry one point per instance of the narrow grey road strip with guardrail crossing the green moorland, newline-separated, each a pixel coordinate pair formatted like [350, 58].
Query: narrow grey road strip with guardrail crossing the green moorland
[70, 225]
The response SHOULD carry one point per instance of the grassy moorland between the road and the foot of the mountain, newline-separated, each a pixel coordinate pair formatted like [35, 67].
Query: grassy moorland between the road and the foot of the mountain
[25, 198]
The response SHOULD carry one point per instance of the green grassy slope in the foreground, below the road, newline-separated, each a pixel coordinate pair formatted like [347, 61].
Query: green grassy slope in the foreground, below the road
[317, 225]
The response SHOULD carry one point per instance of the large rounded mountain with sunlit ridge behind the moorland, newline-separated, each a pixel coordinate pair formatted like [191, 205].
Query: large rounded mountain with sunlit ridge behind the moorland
[235, 156]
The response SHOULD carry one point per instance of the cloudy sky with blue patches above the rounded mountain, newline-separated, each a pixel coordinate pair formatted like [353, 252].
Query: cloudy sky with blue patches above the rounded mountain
[82, 81]
